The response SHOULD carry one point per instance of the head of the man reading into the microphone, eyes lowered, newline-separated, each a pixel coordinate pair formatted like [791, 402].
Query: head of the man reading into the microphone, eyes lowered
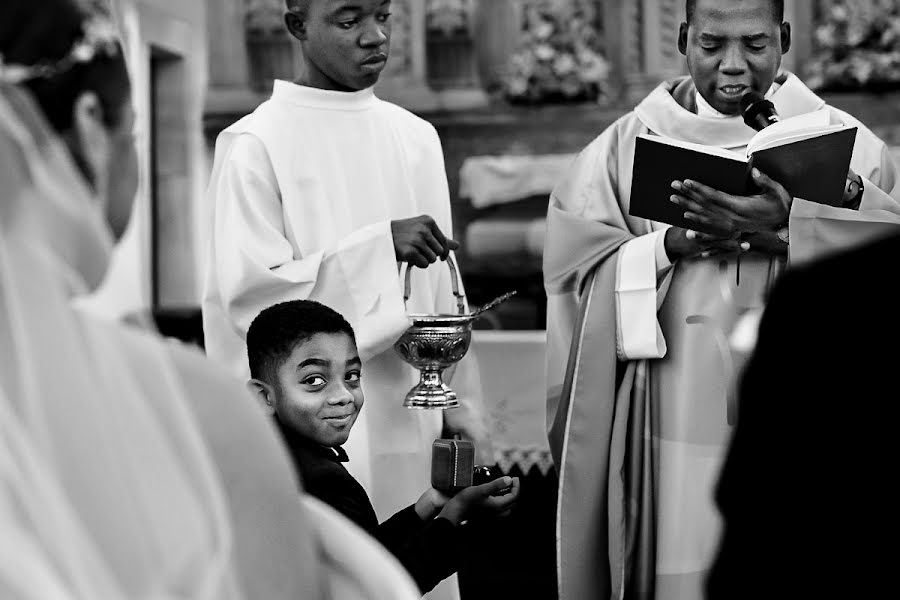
[733, 47]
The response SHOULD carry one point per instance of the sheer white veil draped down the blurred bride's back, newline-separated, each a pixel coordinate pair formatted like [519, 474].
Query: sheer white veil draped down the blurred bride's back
[106, 486]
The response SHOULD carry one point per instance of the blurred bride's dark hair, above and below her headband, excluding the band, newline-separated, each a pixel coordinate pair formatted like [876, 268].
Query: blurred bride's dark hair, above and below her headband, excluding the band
[44, 32]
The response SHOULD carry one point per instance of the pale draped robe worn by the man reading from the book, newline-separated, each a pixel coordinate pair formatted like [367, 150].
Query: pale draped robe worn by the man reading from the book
[638, 436]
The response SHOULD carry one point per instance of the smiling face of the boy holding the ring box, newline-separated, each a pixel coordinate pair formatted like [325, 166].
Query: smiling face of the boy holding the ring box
[318, 393]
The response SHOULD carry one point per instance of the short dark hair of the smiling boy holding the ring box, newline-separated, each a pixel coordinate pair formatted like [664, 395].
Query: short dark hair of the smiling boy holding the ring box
[277, 330]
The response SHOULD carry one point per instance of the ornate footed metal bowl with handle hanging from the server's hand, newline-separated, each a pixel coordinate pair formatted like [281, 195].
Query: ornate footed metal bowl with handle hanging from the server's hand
[431, 344]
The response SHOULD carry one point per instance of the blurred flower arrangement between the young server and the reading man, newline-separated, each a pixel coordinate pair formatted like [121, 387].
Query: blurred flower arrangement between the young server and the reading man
[560, 56]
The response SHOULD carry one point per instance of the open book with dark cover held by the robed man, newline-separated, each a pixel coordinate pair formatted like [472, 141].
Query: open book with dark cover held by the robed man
[805, 154]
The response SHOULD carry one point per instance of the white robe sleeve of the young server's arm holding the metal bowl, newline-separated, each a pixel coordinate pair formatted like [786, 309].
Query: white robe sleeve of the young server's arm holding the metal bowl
[257, 265]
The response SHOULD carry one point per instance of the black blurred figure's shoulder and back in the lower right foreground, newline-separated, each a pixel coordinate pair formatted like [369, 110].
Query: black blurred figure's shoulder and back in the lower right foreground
[808, 491]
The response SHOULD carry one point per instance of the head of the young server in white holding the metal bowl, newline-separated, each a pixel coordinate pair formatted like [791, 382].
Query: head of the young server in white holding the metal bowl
[345, 42]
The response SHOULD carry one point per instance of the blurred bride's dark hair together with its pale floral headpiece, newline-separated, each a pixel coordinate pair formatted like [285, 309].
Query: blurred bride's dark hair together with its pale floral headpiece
[58, 51]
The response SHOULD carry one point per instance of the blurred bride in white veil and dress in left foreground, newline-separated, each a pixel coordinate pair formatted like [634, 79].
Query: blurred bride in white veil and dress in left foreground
[118, 473]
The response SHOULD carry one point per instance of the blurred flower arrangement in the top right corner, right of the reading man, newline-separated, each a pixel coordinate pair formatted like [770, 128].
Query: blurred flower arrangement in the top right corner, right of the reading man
[857, 46]
